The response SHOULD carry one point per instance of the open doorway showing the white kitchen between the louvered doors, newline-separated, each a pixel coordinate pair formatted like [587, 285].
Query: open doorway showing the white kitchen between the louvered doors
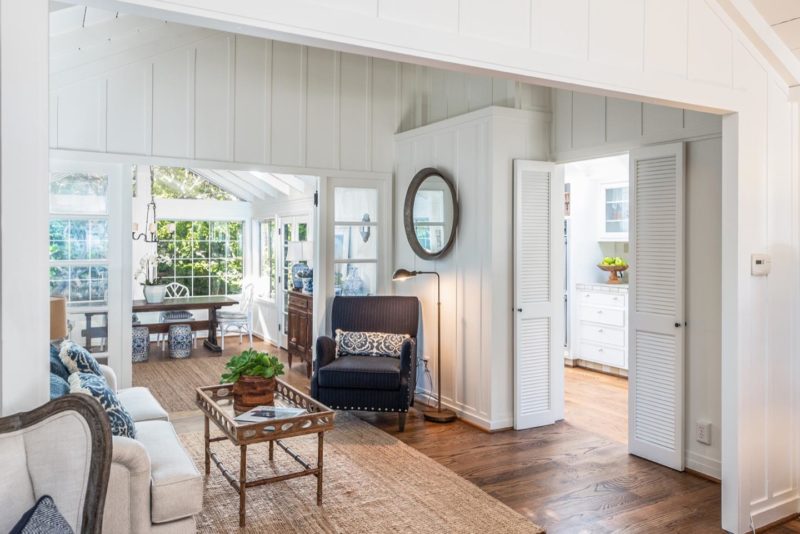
[596, 252]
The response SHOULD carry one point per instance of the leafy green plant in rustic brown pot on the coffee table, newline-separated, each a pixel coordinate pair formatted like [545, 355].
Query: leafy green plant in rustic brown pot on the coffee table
[252, 374]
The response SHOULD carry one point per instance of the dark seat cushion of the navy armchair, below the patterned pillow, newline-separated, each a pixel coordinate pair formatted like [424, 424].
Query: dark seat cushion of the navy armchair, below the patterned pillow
[361, 372]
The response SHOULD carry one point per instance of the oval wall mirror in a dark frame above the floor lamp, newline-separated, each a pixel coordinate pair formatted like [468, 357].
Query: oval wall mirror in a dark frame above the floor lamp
[430, 214]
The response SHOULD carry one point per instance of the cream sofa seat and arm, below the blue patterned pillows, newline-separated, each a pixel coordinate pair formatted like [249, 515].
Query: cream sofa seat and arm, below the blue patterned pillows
[154, 485]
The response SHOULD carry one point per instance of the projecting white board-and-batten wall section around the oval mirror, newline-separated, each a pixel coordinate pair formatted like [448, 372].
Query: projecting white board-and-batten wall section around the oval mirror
[476, 150]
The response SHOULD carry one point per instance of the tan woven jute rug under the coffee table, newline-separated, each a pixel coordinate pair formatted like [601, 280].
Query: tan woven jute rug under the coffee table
[372, 483]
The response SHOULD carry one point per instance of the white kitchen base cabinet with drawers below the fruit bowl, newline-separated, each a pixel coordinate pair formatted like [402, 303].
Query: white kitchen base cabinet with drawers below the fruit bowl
[602, 326]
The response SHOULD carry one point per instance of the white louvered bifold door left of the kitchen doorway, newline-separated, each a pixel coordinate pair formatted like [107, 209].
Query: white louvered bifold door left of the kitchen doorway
[538, 304]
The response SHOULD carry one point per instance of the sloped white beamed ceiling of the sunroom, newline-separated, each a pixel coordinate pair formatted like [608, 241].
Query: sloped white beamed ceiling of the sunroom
[255, 185]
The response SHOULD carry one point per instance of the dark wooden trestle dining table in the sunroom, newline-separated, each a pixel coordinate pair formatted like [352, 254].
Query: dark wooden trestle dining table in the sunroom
[209, 303]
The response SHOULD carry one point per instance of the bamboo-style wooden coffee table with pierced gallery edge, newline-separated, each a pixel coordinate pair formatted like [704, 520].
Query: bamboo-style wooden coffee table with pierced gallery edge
[216, 402]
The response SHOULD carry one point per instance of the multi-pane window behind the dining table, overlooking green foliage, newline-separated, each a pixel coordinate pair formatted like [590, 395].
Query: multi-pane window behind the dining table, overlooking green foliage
[206, 256]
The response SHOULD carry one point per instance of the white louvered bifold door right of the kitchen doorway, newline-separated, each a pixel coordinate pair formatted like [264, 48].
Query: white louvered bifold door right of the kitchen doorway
[656, 303]
